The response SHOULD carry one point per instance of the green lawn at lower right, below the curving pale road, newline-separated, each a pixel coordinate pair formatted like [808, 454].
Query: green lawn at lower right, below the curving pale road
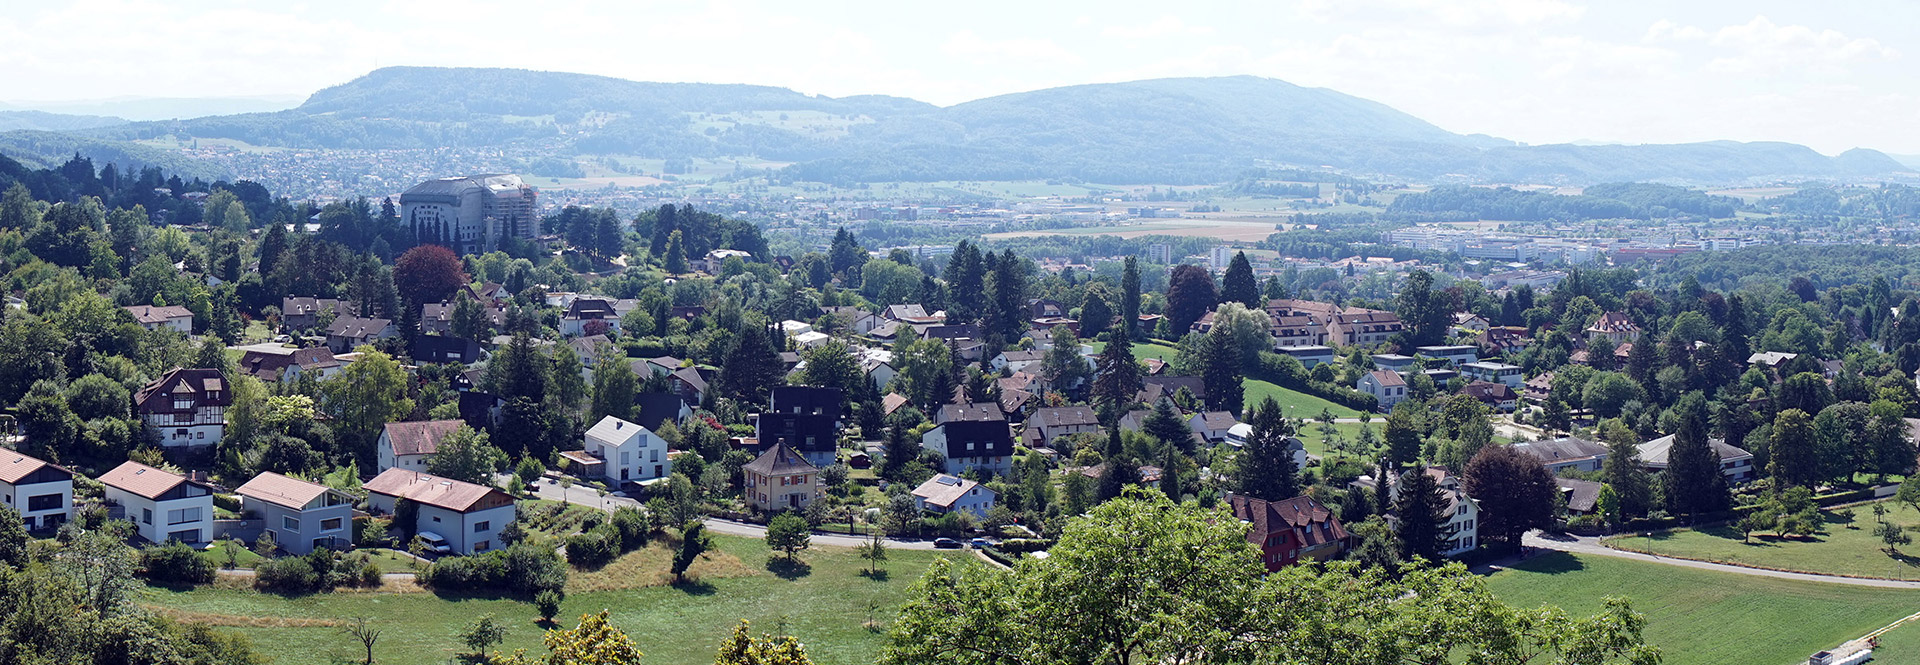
[1712, 618]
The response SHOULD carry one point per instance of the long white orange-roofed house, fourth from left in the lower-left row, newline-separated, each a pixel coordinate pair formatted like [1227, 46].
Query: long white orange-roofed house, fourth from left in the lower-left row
[466, 516]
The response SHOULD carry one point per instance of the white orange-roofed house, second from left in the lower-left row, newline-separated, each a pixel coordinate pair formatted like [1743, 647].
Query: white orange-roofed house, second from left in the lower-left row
[162, 506]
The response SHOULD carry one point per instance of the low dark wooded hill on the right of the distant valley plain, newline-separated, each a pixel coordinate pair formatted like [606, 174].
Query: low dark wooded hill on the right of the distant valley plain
[1616, 201]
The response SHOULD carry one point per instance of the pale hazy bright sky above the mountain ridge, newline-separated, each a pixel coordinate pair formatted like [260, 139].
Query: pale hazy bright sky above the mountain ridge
[1831, 76]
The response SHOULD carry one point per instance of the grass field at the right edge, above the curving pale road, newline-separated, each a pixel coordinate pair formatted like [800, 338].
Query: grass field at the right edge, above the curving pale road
[1835, 551]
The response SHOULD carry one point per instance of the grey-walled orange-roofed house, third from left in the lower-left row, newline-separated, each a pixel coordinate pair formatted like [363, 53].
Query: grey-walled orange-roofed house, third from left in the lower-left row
[302, 516]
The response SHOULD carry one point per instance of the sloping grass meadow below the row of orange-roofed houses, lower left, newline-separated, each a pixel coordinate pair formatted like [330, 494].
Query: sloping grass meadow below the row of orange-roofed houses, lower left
[825, 604]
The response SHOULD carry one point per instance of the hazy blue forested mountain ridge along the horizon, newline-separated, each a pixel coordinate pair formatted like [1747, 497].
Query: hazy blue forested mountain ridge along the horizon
[1180, 132]
